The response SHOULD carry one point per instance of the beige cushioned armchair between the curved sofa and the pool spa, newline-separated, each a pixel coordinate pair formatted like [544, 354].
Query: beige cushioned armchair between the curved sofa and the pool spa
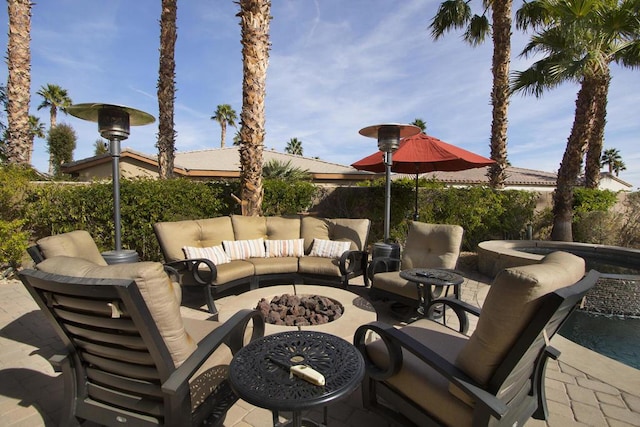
[427, 246]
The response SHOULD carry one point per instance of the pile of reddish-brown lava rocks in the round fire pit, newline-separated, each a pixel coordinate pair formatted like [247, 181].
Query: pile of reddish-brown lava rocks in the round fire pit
[299, 310]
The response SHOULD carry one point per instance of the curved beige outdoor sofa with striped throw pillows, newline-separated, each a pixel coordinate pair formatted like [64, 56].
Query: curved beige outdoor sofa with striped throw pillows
[232, 251]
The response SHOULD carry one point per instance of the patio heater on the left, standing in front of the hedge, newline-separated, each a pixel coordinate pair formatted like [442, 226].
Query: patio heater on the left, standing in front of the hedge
[113, 125]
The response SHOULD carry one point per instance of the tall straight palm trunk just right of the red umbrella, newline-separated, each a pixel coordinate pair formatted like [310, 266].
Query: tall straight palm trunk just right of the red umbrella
[500, 92]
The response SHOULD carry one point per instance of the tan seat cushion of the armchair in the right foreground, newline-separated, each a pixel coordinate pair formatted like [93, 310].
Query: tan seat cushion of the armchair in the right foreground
[422, 384]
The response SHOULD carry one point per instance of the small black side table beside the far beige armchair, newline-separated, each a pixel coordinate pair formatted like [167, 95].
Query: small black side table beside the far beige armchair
[425, 278]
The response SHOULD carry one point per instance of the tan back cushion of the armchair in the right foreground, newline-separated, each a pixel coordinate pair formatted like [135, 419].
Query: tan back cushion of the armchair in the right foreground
[513, 298]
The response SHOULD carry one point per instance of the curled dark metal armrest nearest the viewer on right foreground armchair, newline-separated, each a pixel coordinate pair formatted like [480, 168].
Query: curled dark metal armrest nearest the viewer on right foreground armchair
[396, 341]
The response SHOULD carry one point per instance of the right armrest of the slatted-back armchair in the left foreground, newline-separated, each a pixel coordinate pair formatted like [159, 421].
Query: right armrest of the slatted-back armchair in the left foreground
[231, 332]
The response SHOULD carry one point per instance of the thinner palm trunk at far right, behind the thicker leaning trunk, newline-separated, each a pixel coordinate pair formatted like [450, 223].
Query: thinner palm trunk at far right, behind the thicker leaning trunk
[596, 136]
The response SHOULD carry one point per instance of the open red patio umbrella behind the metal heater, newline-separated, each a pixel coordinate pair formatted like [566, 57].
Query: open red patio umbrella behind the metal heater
[422, 153]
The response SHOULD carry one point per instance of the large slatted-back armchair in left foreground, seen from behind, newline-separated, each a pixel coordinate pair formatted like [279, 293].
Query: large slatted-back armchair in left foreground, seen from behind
[131, 358]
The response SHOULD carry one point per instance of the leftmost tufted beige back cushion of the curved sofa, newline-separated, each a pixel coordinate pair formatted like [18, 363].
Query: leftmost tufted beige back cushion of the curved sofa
[173, 236]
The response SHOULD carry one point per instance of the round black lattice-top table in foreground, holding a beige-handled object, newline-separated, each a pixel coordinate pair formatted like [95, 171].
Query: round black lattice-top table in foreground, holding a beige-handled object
[258, 380]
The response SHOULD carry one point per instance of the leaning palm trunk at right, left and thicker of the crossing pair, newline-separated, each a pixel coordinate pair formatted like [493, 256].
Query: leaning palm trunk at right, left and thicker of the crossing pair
[571, 161]
